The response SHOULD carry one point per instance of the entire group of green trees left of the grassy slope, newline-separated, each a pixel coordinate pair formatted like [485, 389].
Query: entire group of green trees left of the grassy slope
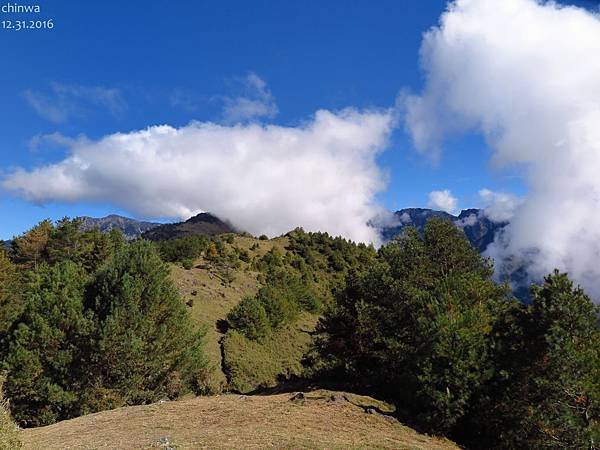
[90, 322]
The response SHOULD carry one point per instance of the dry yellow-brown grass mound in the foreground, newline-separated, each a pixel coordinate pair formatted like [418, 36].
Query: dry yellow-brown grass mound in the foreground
[318, 420]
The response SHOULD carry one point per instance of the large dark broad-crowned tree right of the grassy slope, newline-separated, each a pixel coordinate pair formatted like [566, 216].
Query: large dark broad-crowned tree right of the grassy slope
[415, 324]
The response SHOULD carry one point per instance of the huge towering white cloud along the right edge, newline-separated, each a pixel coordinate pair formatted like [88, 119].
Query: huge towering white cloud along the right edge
[526, 74]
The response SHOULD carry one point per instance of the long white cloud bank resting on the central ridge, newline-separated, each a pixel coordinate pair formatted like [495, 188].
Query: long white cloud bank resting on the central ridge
[268, 179]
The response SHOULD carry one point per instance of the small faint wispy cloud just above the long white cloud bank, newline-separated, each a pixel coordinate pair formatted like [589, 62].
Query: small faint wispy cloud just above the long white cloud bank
[257, 102]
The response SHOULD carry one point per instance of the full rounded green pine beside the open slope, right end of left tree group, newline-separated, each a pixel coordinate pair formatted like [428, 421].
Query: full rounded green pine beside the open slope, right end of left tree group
[146, 346]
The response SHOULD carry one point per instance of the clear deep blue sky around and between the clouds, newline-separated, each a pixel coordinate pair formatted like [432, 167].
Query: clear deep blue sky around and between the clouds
[113, 66]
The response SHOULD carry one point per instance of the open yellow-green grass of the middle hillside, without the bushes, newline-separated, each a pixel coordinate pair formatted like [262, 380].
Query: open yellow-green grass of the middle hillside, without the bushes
[211, 294]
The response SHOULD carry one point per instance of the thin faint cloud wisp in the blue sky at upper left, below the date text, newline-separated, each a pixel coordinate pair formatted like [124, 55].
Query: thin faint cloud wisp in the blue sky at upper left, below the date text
[63, 101]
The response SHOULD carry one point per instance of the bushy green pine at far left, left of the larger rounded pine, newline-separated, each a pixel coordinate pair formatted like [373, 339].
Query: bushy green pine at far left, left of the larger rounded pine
[47, 346]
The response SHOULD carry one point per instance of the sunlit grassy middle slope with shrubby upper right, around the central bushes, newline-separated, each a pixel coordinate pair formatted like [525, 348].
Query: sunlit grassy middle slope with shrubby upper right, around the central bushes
[238, 363]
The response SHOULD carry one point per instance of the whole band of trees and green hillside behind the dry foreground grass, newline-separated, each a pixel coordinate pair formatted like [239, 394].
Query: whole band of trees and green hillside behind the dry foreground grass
[91, 322]
